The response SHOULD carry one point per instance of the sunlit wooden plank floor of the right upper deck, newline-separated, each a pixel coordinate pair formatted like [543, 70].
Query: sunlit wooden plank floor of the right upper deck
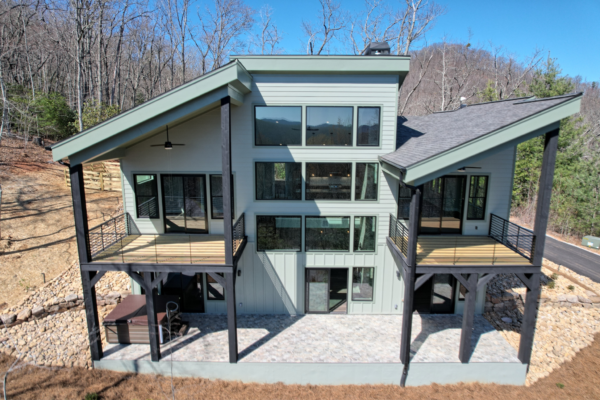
[465, 250]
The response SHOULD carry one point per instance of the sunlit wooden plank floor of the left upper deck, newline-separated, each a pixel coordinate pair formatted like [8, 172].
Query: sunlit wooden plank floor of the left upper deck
[172, 248]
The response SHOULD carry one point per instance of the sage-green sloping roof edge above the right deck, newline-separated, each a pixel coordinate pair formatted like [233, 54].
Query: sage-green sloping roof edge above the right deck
[484, 146]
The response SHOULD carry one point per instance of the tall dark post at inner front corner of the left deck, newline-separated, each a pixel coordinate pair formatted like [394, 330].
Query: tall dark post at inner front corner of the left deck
[226, 174]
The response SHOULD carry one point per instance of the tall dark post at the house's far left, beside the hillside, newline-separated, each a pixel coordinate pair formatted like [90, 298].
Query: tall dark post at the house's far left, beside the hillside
[81, 236]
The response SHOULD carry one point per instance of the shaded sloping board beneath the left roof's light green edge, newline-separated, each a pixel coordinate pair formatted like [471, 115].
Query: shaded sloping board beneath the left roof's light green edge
[153, 126]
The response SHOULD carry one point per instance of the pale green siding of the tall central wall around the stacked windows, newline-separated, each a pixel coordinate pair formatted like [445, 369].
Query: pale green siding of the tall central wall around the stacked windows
[273, 282]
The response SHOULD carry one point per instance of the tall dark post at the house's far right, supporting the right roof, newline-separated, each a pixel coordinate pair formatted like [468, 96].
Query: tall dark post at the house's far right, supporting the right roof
[542, 213]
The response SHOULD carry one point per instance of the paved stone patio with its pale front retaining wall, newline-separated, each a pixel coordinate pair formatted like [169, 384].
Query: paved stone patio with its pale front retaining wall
[367, 344]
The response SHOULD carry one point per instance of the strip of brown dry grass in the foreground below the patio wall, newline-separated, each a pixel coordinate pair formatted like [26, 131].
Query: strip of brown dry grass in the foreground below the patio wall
[580, 377]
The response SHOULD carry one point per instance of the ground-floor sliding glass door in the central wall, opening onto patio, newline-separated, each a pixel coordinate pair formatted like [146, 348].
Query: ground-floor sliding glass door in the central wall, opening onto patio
[327, 290]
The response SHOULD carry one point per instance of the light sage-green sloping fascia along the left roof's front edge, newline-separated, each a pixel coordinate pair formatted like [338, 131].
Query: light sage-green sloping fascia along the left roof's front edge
[233, 74]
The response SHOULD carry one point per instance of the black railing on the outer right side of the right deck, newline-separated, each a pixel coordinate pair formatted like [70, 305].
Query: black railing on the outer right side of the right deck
[520, 240]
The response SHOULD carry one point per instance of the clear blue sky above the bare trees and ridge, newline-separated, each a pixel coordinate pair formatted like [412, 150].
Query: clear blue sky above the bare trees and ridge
[570, 30]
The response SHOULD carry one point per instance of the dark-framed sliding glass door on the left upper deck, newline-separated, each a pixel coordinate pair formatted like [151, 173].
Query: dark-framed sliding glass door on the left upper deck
[184, 203]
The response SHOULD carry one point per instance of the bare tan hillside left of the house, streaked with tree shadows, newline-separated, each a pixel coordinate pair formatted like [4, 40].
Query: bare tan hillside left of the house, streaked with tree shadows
[36, 224]
